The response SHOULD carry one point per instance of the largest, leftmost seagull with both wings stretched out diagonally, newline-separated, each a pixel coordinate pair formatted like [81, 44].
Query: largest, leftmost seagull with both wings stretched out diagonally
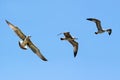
[26, 41]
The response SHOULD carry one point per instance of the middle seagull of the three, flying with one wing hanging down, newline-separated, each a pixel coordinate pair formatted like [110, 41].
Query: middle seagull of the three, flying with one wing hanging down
[71, 40]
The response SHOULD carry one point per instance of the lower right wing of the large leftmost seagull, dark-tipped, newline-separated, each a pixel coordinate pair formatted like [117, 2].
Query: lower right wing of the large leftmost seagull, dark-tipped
[36, 50]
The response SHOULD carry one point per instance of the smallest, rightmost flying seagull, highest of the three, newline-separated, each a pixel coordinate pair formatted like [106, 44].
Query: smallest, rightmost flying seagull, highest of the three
[99, 27]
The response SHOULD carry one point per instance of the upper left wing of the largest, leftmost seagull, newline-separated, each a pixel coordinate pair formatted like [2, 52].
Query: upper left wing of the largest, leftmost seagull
[17, 30]
